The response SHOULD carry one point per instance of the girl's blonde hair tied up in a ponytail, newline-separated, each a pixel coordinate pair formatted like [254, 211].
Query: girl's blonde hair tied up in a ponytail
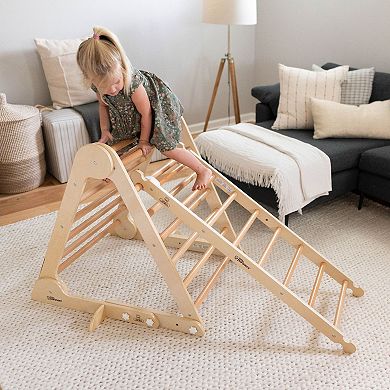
[99, 56]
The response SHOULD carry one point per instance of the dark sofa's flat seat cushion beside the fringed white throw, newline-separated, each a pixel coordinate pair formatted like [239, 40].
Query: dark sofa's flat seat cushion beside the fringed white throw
[344, 153]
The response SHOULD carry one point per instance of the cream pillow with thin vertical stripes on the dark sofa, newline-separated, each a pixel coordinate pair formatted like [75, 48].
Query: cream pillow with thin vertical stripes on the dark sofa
[297, 86]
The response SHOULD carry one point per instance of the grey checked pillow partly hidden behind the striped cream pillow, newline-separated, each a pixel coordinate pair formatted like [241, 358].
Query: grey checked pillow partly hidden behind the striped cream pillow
[358, 86]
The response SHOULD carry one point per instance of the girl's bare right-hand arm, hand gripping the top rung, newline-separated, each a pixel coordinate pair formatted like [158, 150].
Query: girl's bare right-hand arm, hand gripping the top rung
[142, 104]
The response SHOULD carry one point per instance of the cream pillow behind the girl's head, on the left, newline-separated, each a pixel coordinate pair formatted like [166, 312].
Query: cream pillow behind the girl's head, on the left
[63, 75]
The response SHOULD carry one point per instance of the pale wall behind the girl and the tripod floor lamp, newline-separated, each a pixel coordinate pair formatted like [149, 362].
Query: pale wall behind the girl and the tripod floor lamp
[162, 36]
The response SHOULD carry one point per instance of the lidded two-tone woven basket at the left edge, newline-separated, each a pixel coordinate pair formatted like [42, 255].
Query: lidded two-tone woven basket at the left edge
[22, 158]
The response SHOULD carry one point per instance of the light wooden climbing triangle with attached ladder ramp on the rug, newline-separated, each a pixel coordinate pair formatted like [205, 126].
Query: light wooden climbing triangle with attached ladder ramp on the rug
[125, 215]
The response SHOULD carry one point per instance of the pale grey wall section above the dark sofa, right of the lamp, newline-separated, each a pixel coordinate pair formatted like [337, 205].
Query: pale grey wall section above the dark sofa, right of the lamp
[302, 32]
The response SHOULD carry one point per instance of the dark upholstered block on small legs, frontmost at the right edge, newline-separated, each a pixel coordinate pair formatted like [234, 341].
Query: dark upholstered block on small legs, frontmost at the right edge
[374, 175]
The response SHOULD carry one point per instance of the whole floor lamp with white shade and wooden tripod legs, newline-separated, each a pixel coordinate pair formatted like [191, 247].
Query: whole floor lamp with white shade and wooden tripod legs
[228, 12]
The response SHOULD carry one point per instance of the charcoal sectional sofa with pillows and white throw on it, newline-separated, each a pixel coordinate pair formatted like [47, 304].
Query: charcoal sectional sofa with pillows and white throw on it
[358, 165]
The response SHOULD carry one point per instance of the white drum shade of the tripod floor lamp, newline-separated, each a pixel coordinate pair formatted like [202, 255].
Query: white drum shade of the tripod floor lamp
[230, 11]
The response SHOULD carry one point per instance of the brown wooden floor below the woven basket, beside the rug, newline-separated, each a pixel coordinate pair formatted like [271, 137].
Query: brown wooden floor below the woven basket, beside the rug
[42, 200]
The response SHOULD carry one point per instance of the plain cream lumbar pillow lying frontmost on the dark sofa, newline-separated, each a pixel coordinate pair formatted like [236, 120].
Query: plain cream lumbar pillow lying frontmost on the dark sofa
[336, 120]
